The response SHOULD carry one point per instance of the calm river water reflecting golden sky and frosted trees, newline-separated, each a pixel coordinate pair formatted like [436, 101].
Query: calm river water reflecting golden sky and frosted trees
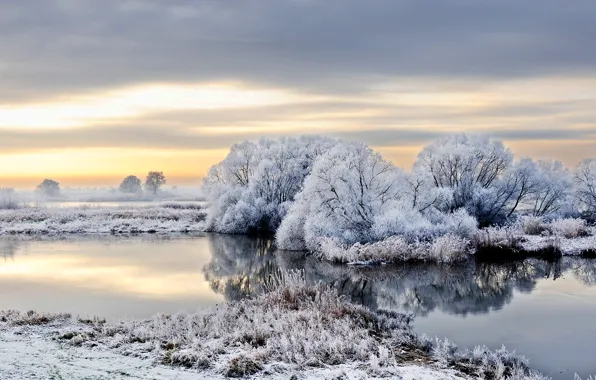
[544, 311]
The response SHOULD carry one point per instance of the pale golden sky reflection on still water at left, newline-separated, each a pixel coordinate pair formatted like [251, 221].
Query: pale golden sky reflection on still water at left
[113, 277]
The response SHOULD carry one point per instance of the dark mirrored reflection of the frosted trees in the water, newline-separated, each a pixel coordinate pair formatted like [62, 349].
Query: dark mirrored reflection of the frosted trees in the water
[241, 266]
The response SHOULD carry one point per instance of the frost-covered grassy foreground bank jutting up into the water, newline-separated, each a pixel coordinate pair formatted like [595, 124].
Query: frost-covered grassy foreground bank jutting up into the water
[293, 329]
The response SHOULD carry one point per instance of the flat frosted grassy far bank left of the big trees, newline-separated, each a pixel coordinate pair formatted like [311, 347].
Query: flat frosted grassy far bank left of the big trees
[162, 219]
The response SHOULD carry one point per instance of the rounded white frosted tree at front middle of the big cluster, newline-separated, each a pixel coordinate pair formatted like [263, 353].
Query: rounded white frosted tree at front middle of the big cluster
[348, 189]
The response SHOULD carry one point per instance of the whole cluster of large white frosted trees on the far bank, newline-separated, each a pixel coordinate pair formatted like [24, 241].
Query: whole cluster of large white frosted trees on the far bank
[310, 188]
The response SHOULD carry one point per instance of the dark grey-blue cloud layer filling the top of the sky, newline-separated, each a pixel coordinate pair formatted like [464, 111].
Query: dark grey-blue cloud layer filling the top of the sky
[62, 46]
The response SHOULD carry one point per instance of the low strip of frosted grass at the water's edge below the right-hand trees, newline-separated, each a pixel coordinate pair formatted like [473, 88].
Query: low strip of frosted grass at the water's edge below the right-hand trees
[528, 237]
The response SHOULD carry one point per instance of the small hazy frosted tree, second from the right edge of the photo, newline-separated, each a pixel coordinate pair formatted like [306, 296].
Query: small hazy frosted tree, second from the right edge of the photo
[553, 189]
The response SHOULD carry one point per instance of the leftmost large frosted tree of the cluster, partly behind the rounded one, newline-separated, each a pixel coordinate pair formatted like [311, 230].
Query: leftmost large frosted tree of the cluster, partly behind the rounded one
[252, 188]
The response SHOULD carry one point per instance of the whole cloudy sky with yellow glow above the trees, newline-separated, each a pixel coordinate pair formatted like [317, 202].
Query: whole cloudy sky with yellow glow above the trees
[94, 90]
